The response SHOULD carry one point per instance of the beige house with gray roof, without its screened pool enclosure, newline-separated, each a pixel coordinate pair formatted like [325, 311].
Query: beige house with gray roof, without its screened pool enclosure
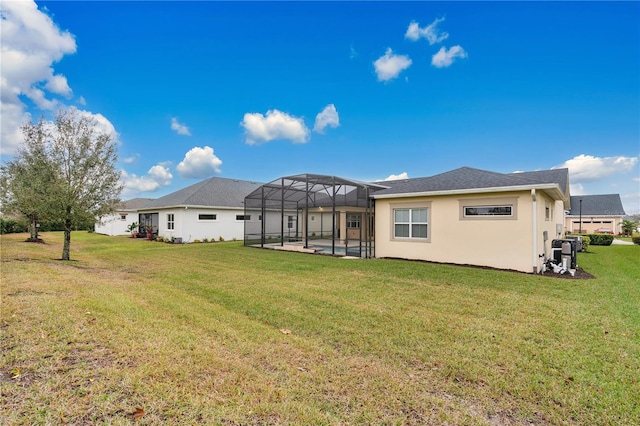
[474, 217]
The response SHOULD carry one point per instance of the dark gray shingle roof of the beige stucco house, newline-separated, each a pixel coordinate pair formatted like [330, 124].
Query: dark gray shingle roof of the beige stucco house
[469, 178]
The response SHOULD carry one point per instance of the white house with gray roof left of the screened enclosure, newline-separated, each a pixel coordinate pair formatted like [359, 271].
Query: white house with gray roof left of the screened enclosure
[209, 209]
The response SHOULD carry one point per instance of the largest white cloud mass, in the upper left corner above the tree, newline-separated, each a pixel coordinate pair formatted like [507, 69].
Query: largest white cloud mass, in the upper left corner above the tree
[31, 43]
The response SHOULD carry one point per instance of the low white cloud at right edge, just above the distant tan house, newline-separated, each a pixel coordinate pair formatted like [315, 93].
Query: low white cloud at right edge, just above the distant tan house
[584, 168]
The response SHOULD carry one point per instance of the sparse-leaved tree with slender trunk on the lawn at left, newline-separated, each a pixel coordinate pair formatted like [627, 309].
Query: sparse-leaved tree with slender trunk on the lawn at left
[65, 171]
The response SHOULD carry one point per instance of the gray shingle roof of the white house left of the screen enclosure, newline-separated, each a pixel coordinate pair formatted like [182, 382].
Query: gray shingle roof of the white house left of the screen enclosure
[212, 192]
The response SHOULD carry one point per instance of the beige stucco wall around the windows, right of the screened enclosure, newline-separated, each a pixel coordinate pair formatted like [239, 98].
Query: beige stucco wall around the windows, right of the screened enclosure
[494, 242]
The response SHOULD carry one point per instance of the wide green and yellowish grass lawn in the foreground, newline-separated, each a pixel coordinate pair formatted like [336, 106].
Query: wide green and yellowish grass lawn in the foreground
[138, 331]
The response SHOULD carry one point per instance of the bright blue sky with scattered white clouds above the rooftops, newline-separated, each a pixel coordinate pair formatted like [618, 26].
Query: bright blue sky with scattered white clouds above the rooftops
[362, 90]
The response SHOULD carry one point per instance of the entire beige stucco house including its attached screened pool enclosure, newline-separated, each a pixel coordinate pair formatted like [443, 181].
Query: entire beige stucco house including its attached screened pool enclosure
[464, 216]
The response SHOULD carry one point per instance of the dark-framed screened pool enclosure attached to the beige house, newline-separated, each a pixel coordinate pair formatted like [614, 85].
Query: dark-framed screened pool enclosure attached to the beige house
[313, 214]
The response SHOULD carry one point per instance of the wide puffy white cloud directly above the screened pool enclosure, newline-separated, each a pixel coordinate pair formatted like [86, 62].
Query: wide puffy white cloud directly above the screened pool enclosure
[274, 125]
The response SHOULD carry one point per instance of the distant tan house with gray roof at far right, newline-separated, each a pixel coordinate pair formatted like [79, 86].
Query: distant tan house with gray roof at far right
[591, 214]
